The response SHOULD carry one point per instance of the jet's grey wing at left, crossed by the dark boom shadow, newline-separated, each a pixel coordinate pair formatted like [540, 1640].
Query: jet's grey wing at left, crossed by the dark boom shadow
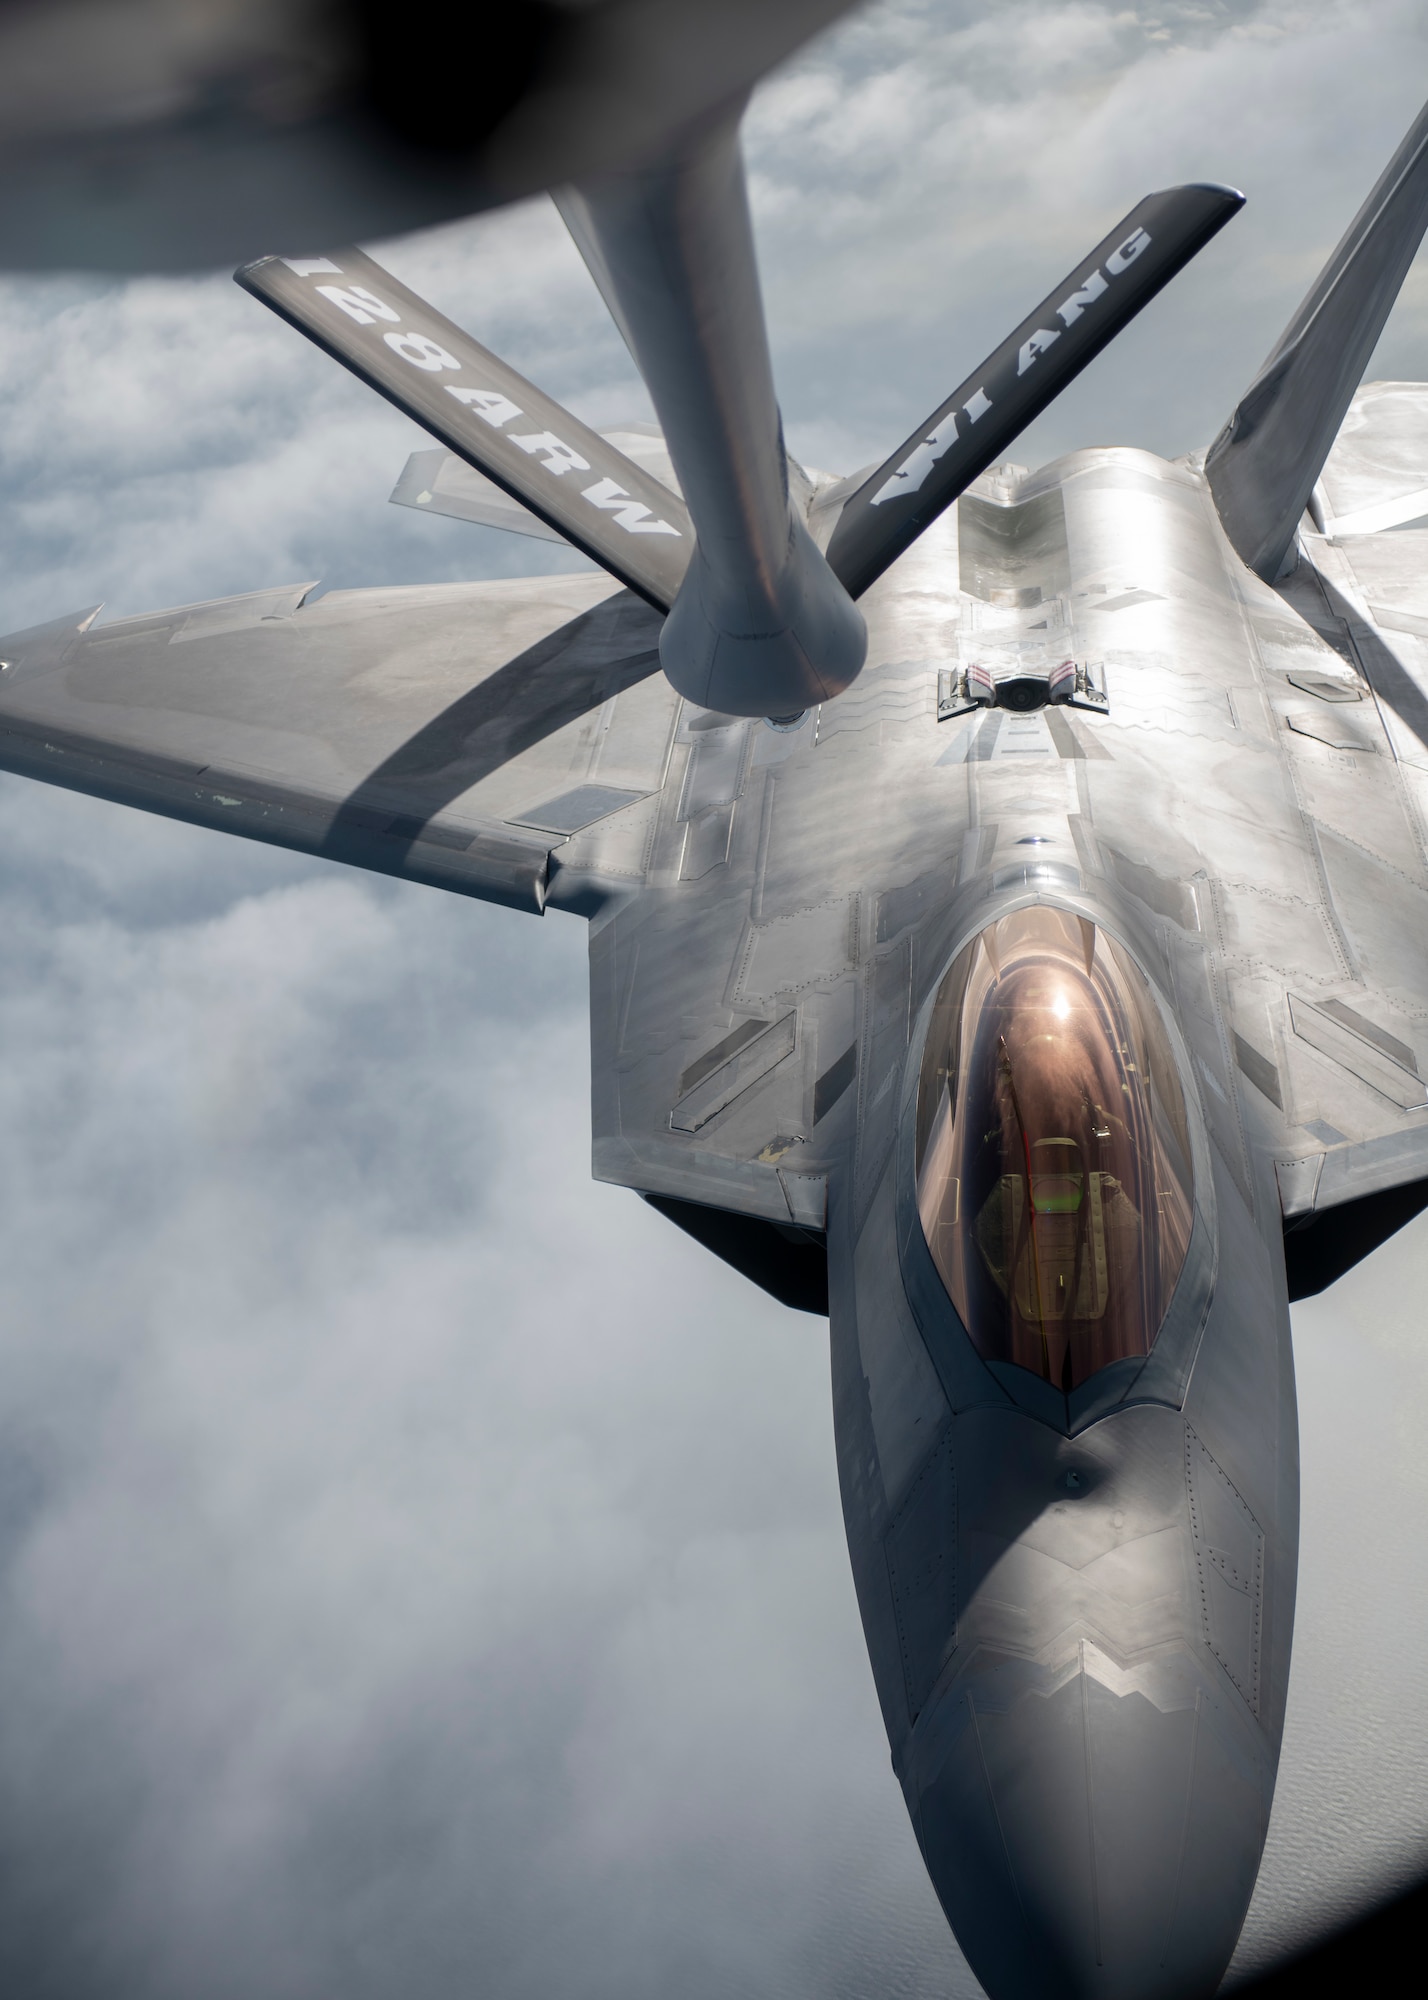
[455, 735]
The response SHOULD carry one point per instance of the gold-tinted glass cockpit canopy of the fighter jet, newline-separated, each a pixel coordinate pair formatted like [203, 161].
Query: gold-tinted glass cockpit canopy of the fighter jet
[1053, 1155]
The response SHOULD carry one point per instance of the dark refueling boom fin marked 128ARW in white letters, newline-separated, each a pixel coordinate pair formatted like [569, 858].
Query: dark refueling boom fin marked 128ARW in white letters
[473, 403]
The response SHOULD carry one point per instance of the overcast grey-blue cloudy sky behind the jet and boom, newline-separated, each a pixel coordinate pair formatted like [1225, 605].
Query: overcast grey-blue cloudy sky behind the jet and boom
[421, 1567]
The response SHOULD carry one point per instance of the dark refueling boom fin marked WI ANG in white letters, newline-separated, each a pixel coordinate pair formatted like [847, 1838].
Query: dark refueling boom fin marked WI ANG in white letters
[973, 429]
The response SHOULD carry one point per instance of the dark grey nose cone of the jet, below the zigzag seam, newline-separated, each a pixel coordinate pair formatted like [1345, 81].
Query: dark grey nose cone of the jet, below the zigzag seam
[1095, 1839]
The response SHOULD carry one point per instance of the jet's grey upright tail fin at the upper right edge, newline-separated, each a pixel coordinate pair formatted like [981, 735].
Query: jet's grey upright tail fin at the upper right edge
[1265, 463]
